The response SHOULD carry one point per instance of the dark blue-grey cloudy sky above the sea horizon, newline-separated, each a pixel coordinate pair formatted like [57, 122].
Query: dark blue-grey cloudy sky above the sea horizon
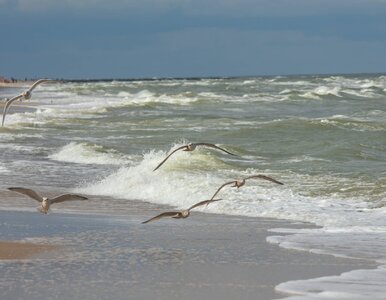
[96, 39]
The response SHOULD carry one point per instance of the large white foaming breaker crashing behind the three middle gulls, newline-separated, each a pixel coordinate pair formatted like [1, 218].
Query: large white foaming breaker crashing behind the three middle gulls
[172, 184]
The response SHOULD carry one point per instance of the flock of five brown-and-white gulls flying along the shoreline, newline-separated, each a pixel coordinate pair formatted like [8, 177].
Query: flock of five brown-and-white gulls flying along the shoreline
[46, 202]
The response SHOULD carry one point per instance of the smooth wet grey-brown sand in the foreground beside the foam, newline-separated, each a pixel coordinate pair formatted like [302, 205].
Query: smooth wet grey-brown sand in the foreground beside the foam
[105, 257]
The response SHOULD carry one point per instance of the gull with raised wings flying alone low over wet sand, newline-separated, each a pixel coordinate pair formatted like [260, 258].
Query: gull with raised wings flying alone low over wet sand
[46, 202]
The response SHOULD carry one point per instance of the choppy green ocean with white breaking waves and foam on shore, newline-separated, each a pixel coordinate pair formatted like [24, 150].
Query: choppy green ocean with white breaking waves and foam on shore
[324, 137]
